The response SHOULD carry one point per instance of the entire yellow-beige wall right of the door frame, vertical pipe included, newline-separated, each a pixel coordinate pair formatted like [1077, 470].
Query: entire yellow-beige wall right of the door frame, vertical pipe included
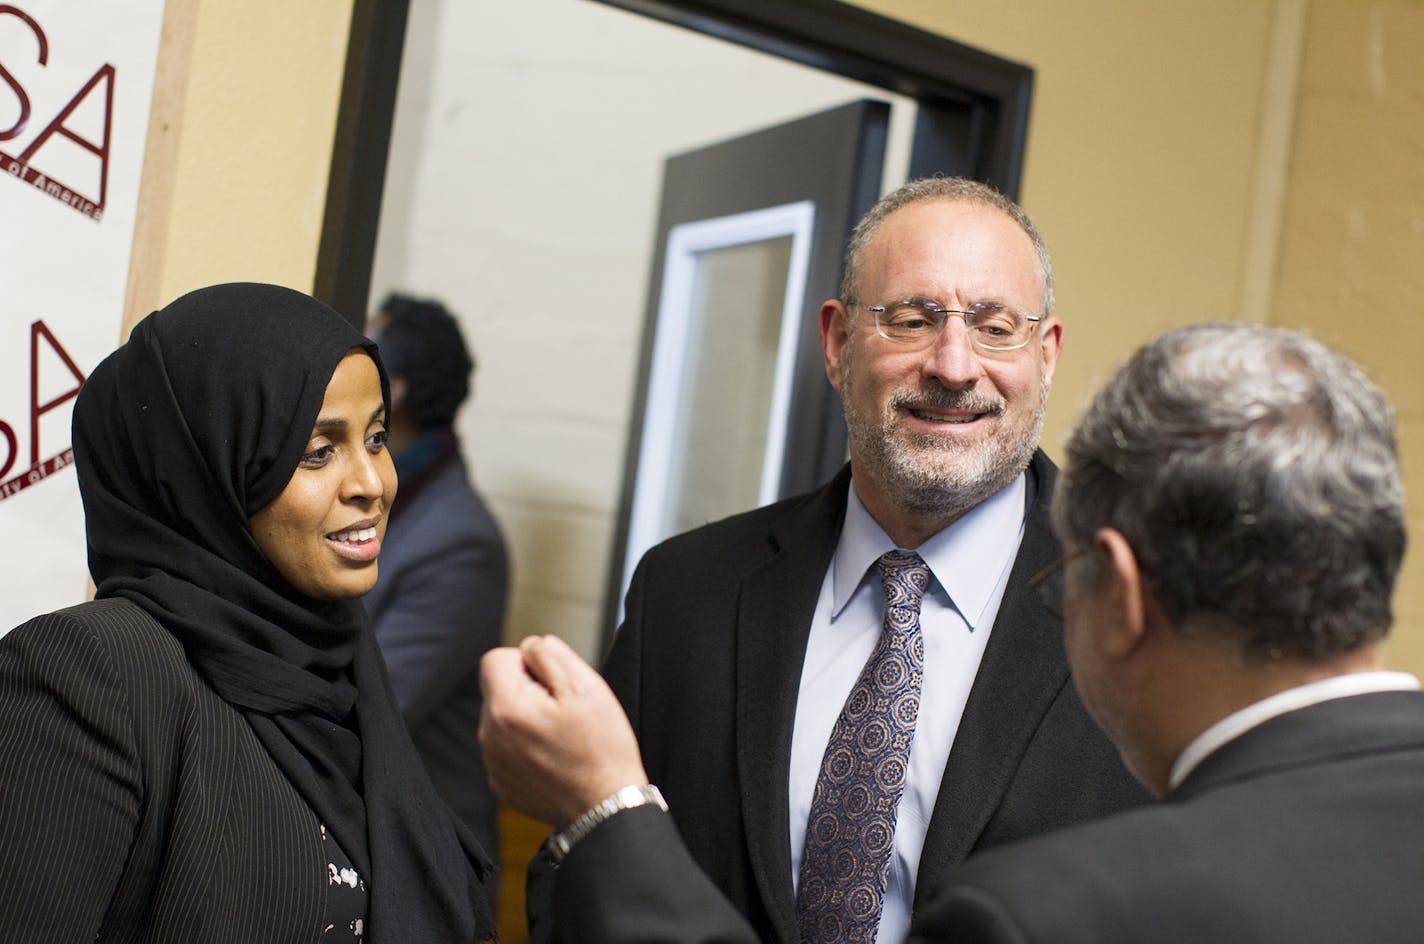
[1252, 160]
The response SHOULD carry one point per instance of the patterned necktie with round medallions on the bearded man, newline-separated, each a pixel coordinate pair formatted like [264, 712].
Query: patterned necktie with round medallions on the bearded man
[851, 832]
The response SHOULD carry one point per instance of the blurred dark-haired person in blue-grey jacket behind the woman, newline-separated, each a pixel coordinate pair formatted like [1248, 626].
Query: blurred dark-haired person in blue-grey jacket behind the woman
[439, 602]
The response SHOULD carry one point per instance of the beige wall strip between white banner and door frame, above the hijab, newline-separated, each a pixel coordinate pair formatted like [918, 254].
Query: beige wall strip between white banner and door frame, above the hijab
[240, 147]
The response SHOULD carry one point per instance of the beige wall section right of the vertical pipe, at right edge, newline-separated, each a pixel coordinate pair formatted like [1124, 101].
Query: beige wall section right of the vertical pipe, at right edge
[1352, 256]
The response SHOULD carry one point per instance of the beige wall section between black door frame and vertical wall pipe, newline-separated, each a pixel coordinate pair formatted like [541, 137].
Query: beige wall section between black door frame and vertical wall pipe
[1141, 162]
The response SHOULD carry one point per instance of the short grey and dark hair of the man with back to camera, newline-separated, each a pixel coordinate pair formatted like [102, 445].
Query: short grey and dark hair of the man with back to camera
[1257, 478]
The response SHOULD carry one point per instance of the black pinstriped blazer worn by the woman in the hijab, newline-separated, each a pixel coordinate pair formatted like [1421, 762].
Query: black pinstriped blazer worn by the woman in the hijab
[135, 804]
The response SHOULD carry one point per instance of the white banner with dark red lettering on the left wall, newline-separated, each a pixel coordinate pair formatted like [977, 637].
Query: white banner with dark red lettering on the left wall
[76, 86]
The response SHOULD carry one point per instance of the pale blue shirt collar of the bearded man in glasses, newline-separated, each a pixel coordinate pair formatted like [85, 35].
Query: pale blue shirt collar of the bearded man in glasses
[966, 559]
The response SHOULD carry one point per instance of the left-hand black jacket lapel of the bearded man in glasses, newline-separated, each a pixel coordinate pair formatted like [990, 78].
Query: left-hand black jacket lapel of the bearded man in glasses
[778, 602]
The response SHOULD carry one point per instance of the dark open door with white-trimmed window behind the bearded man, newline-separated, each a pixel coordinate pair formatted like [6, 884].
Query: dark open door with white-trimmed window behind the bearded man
[838, 180]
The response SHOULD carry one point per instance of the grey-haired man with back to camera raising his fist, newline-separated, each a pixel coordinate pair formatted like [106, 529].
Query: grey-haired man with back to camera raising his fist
[1234, 525]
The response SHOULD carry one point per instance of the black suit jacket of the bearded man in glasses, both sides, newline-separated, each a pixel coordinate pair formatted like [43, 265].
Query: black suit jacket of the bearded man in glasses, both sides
[708, 666]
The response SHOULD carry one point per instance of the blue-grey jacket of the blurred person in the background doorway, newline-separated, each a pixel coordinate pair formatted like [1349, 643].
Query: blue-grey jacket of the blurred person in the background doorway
[438, 607]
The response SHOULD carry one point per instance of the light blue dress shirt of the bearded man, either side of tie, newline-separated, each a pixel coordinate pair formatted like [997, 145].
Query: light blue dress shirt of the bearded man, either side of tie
[970, 563]
